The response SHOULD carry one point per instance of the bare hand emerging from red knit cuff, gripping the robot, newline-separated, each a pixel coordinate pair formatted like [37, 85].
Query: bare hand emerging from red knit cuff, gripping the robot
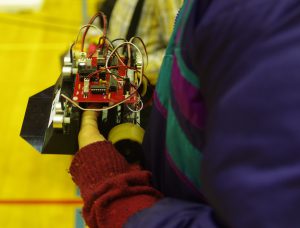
[89, 132]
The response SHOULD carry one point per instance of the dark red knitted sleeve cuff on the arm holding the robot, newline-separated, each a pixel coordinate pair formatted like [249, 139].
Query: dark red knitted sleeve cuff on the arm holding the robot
[112, 190]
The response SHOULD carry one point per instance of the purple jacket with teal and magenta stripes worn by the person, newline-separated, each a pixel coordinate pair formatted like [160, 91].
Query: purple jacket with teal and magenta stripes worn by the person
[224, 139]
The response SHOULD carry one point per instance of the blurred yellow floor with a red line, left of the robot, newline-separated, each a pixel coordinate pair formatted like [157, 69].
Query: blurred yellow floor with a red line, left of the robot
[36, 190]
